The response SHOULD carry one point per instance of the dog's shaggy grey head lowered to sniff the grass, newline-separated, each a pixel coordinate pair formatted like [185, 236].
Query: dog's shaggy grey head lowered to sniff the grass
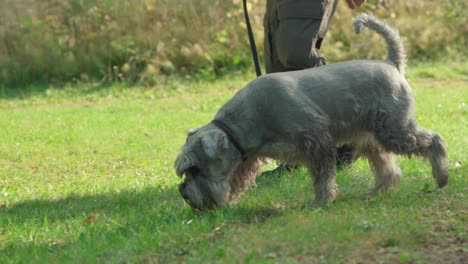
[213, 168]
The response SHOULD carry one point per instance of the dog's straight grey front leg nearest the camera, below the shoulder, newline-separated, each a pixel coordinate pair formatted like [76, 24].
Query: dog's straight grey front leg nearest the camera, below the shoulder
[321, 163]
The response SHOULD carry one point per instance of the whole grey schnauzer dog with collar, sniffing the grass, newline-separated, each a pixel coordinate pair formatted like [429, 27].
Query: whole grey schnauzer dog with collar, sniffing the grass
[300, 117]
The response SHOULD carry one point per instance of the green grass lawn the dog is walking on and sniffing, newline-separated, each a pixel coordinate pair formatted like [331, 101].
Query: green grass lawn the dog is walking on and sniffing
[86, 176]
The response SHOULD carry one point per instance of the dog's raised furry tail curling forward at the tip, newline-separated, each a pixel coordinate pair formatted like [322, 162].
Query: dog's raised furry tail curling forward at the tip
[395, 49]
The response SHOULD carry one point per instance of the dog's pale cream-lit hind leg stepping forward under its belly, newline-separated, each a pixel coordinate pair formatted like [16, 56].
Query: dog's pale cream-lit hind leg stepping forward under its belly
[383, 164]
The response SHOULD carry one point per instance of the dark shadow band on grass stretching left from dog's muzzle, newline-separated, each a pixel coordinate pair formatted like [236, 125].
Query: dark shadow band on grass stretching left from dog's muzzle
[148, 201]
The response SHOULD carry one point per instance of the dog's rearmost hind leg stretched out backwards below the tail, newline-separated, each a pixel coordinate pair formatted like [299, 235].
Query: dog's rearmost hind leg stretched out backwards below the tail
[413, 140]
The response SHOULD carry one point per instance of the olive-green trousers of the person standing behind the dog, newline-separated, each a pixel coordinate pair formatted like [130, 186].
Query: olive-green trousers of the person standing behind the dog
[290, 27]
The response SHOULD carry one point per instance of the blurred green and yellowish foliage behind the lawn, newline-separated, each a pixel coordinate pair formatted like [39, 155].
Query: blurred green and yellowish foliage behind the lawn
[59, 41]
